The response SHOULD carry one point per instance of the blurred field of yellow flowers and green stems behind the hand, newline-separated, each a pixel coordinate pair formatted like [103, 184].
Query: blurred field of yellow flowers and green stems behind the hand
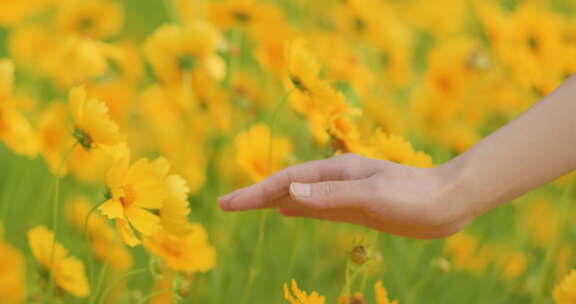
[229, 92]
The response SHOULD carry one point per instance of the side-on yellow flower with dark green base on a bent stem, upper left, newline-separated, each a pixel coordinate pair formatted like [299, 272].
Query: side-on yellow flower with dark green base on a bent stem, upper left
[94, 128]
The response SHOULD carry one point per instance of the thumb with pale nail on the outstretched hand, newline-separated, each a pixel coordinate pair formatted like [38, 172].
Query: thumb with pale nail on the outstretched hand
[333, 194]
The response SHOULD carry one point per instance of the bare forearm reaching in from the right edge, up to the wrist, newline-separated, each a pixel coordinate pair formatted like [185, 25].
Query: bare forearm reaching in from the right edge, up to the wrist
[534, 149]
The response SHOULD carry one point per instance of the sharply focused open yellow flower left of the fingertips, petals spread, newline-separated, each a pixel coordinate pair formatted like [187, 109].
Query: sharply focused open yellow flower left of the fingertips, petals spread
[135, 190]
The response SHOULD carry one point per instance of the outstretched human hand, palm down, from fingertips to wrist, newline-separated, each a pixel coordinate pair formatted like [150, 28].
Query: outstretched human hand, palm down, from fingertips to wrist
[389, 197]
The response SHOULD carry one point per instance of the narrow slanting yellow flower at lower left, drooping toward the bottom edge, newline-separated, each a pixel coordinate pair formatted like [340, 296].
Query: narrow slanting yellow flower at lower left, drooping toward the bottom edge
[68, 271]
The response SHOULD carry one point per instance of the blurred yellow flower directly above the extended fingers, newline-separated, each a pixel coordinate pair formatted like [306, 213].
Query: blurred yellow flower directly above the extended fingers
[253, 152]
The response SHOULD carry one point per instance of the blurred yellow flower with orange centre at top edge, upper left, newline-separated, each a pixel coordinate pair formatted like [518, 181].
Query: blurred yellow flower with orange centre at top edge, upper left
[94, 18]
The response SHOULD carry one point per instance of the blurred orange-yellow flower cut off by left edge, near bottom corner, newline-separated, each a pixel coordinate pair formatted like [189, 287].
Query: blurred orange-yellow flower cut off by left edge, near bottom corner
[12, 288]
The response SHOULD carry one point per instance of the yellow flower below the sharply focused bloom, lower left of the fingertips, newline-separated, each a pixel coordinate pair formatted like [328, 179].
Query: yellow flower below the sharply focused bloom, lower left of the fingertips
[188, 253]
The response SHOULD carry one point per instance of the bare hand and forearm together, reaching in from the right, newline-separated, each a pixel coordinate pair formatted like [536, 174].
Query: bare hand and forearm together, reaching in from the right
[532, 150]
